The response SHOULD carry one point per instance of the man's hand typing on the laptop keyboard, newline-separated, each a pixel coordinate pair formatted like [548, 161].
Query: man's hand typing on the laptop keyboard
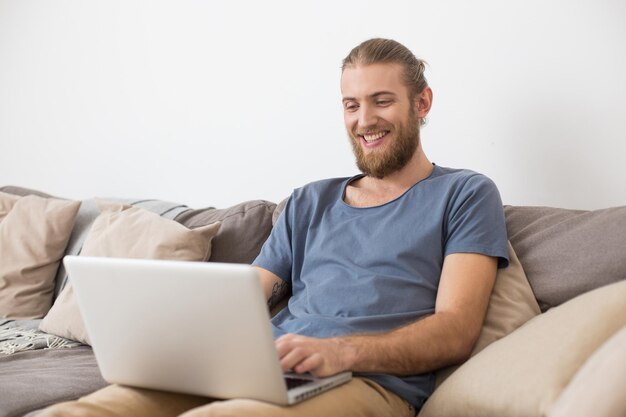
[320, 357]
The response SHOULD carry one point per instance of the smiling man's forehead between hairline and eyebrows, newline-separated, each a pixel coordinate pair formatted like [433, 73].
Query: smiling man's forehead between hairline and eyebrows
[364, 80]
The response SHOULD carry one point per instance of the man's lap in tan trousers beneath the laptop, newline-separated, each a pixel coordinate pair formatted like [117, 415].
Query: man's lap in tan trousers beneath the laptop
[359, 397]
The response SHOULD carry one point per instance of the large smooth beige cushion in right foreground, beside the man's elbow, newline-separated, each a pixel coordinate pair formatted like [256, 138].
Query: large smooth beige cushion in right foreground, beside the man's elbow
[524, 373]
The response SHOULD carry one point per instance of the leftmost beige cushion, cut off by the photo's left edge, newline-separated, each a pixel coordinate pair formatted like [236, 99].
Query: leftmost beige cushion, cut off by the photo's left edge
[34, 232]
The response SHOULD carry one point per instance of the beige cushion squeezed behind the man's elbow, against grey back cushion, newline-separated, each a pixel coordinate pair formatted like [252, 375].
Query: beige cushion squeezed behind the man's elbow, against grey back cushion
[512, 303]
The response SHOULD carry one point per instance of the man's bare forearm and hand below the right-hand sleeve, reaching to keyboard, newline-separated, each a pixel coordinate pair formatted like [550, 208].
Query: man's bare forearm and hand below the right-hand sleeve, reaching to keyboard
[441, 339]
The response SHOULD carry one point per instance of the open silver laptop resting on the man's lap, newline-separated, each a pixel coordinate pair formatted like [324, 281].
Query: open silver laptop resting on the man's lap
[191, 327]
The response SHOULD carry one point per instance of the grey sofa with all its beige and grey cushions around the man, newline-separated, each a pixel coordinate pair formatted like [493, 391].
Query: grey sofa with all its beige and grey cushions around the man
[553, 342]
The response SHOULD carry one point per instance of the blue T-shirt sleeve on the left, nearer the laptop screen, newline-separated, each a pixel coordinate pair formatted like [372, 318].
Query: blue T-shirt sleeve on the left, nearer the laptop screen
[276, 254]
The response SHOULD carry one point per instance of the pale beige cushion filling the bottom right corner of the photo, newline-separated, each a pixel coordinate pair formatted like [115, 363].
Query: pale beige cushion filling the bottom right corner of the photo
[598, 387]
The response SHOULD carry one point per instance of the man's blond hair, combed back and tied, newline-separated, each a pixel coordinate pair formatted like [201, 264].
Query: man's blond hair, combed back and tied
[379, 50]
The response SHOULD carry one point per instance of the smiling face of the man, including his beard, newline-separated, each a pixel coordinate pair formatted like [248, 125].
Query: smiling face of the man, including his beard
[380, 119]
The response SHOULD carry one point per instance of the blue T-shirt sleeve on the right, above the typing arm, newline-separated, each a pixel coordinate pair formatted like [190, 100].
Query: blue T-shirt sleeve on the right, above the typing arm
[476, 221]
